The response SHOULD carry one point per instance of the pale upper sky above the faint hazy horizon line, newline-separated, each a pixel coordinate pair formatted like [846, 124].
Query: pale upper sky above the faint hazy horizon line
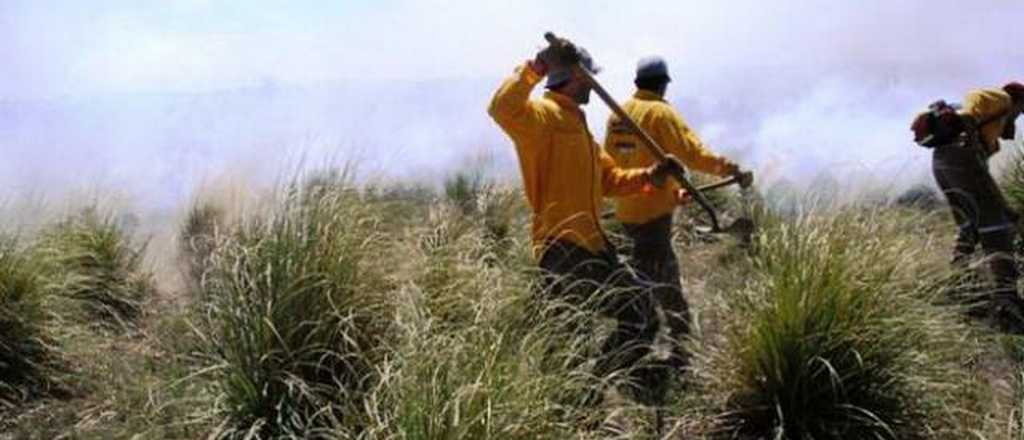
[101, 47]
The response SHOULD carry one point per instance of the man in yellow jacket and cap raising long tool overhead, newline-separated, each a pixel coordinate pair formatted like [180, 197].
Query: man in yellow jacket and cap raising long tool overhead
[566, 175]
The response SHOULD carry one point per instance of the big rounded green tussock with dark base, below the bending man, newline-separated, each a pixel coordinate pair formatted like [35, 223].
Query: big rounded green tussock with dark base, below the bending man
[840, 339]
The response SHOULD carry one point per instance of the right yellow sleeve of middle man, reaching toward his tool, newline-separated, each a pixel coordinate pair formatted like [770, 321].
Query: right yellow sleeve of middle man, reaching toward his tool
[679, 140]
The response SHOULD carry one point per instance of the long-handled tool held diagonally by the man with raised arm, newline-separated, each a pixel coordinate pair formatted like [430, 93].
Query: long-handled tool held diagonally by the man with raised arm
[679, 175]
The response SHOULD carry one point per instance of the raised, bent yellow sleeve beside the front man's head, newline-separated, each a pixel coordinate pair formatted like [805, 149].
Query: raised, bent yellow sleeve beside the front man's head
[511, 108]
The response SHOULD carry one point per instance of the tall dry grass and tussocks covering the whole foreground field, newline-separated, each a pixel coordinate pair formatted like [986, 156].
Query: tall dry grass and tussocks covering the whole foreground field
[333, 311]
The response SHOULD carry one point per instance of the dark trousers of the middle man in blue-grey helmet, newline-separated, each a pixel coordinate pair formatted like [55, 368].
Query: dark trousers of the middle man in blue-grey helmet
[655, 260]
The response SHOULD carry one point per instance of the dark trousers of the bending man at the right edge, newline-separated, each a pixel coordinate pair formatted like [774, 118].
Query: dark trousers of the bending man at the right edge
[980, 213]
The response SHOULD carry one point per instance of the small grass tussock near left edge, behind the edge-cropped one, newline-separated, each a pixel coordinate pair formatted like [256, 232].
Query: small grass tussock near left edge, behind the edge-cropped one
[99, 266]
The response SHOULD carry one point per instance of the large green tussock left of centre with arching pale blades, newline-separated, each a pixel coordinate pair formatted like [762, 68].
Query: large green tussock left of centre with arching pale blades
[293, 334]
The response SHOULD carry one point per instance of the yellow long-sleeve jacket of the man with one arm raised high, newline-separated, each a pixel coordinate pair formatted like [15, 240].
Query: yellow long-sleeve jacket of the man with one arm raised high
[566, 173]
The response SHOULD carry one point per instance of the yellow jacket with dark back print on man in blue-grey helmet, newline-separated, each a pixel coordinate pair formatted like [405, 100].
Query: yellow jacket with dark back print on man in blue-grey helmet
[659, 119]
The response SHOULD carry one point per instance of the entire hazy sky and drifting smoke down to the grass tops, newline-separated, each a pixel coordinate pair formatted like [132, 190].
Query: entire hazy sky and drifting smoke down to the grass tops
[793, 87]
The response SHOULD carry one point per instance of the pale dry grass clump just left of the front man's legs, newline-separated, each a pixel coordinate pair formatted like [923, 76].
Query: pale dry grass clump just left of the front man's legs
[475, 359]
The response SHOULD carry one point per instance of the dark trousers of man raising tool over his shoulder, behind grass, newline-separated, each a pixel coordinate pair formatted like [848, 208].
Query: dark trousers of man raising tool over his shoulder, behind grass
[579, 278]
